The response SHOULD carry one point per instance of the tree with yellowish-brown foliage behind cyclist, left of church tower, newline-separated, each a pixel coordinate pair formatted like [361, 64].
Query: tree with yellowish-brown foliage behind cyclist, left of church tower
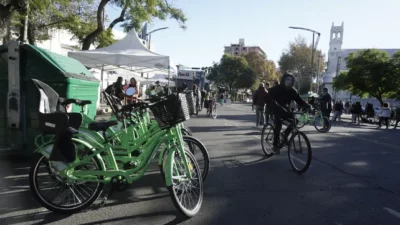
[297, 59]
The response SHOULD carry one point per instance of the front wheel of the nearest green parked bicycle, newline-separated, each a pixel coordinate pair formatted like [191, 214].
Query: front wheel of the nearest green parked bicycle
[186, 194]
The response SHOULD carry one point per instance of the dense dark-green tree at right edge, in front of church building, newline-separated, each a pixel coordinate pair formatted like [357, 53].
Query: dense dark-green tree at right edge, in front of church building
[371, 72]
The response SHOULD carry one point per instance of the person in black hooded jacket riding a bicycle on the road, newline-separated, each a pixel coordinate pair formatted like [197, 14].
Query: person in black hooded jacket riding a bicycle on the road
[278, 99]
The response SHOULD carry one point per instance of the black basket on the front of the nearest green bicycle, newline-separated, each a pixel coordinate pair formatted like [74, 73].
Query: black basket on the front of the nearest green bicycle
[171, 111]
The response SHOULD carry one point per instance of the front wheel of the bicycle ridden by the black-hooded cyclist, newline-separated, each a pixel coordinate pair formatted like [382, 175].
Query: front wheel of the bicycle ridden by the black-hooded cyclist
[299, 152]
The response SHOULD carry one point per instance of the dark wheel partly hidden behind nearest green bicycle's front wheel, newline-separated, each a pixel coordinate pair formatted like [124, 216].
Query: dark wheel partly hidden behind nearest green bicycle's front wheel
[200, 152]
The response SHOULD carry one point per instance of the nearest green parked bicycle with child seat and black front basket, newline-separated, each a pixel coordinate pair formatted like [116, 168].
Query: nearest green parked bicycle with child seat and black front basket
[77, 170]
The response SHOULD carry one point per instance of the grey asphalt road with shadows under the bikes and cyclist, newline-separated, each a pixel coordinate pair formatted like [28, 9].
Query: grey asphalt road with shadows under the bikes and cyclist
[354, 179]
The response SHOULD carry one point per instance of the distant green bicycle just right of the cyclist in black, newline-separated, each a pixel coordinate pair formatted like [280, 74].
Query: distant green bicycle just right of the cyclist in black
[320, 122]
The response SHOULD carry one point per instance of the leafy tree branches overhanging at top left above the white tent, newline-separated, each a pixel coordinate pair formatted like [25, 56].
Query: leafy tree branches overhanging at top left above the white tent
[81, 19]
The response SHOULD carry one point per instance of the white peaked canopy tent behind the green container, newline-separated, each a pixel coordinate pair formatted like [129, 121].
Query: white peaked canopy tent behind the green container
[128, 53]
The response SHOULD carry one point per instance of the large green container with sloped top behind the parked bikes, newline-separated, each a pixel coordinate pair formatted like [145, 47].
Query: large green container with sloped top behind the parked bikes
[19, 63]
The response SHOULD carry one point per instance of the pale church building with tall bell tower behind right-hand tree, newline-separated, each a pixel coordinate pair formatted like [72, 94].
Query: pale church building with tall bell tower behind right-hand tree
[336, 62]
